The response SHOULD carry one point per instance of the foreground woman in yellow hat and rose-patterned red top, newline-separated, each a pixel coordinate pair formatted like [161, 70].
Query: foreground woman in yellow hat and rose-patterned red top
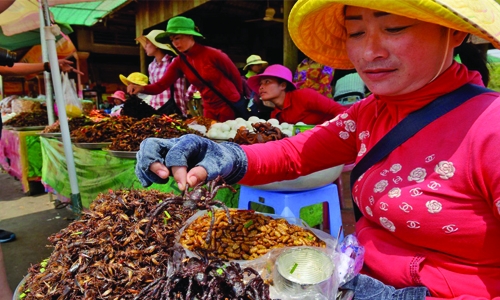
[430, 221]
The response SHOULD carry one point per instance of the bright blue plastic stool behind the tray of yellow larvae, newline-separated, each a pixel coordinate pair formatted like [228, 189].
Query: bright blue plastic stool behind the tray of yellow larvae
[288, 204]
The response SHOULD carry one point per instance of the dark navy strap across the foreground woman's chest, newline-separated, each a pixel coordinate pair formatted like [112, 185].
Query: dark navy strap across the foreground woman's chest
[409, 126]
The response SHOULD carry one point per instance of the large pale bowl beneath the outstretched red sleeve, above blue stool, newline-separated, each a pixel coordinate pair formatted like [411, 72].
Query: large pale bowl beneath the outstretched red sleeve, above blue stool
[303, 183]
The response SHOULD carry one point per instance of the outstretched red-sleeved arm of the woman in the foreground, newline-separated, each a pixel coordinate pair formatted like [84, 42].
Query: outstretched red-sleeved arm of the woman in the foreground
[322, 147]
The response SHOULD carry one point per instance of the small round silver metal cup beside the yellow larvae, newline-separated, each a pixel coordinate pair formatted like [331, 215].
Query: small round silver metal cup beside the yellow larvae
[304, 270]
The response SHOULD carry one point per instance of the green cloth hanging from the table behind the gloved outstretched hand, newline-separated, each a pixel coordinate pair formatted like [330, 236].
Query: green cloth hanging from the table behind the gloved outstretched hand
[98, 171]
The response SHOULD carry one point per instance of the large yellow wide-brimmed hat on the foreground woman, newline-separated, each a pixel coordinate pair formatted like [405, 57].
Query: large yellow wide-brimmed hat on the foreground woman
[317, 26]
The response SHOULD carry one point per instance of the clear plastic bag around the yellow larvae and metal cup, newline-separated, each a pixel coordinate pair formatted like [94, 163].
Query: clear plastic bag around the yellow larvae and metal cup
[265, 265]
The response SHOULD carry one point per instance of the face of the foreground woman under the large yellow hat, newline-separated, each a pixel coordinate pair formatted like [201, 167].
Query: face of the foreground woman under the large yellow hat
[395, 55]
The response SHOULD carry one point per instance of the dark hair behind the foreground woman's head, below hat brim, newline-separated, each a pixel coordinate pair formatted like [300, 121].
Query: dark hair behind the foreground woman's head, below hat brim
[474, 59]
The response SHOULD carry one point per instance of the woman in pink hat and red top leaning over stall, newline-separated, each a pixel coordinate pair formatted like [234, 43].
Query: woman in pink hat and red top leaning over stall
[293, 105]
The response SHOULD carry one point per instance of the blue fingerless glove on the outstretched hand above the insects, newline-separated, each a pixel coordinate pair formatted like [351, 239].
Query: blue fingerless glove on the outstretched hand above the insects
[225, 159]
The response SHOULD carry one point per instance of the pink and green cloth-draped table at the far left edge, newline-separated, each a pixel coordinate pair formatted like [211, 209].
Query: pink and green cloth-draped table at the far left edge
[20, 156]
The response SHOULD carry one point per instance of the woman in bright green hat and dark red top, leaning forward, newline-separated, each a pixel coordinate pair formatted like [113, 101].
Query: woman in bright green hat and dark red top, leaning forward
[213, 65]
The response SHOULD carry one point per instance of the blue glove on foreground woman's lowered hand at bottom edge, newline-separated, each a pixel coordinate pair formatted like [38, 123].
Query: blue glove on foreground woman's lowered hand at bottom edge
[368, 288]
